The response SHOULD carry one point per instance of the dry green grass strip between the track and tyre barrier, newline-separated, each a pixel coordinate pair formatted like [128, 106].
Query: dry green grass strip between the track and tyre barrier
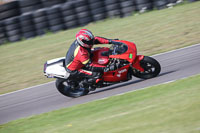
[21, 63]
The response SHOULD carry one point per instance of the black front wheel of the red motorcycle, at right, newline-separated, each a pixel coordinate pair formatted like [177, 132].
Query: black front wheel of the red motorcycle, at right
[151, 68]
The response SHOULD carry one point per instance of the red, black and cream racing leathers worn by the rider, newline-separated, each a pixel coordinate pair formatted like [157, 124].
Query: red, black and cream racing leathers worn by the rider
[77, 57]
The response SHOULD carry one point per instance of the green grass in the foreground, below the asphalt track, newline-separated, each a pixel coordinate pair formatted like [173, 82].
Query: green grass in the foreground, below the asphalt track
[167, 108]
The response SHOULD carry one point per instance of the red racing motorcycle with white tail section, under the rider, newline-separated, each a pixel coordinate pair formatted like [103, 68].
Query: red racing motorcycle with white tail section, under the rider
[124, 56]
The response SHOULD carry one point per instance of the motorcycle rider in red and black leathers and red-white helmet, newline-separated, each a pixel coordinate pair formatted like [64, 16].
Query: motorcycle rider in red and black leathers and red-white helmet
[78, 57]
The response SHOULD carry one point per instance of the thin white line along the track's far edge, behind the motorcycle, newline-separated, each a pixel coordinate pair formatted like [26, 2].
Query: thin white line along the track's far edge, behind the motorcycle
[54, 81]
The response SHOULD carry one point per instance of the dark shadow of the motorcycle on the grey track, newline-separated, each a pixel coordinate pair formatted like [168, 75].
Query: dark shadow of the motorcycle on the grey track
[129, 83]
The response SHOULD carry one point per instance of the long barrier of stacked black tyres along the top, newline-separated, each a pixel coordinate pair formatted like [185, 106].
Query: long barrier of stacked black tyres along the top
[29, 18]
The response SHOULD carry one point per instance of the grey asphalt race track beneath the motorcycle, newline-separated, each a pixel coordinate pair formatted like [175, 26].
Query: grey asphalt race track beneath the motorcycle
[44, 98]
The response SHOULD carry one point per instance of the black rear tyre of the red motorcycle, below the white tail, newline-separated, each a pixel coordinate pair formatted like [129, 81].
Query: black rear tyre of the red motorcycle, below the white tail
[66, 90]
